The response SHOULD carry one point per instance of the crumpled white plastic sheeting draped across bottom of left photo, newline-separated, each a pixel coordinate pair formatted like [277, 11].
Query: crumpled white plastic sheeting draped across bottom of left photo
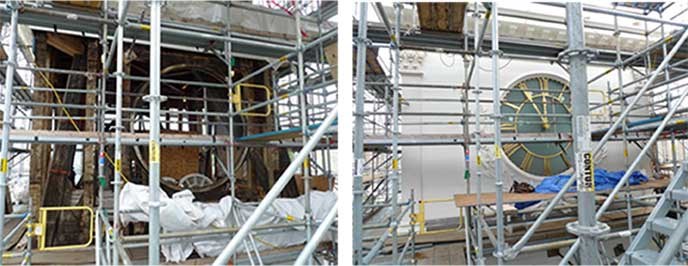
[180, 213]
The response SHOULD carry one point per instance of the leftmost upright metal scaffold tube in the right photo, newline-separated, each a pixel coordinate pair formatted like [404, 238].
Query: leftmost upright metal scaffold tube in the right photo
[359, 115]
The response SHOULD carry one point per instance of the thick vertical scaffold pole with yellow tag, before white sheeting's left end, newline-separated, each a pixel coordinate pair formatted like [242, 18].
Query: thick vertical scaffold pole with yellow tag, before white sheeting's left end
[154, 100]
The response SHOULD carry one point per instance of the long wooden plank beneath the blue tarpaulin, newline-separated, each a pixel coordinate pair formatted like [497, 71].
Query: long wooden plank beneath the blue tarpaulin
[467, 200]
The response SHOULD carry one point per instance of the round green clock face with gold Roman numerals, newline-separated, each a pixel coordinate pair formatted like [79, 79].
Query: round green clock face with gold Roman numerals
[537, 106]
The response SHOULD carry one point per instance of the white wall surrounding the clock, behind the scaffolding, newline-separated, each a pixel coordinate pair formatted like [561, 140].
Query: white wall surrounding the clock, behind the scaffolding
[437, 171]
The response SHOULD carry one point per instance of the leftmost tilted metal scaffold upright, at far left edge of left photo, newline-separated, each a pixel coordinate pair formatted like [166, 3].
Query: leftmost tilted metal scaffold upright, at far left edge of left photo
[7, 111]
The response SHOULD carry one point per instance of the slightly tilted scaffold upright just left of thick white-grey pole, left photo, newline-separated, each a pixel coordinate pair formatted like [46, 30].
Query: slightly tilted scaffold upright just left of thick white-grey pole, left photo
[119, 37]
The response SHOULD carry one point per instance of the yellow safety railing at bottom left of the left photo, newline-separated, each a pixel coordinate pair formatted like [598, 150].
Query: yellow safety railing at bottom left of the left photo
[41, 227]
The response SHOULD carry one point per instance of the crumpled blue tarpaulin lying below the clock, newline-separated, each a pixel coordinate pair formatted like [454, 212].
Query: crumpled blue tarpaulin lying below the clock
[603, 181]
